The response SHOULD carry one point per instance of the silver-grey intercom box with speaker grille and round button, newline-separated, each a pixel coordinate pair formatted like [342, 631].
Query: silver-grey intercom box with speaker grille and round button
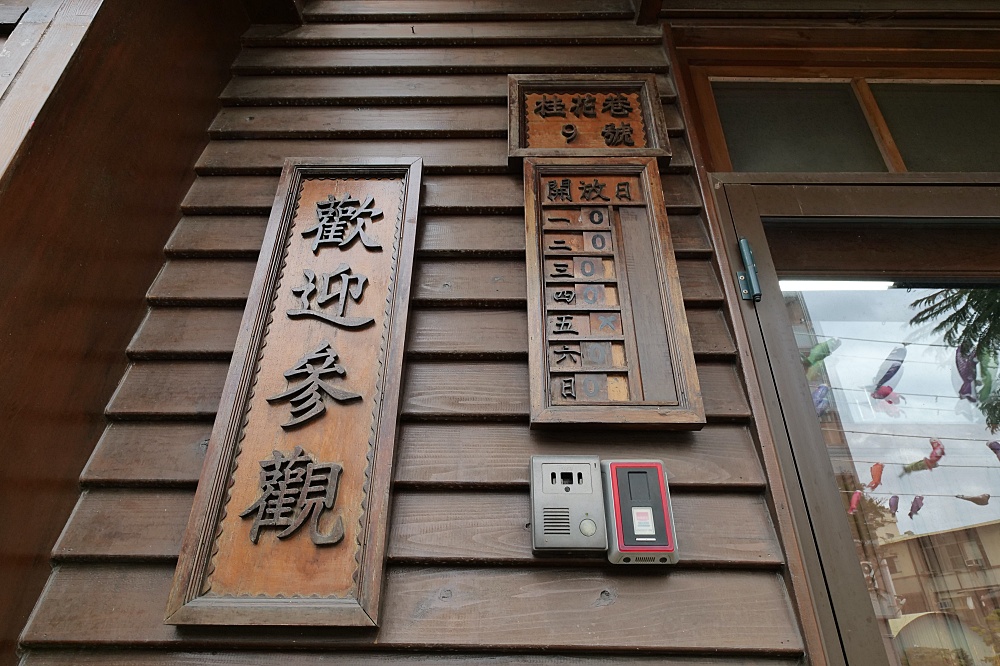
[567, 504]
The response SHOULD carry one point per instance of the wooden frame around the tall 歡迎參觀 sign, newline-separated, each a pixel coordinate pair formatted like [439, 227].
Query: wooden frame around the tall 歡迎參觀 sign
[190, 601]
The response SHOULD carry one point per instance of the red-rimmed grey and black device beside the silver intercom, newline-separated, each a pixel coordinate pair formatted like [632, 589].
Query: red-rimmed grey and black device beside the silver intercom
[640, 520]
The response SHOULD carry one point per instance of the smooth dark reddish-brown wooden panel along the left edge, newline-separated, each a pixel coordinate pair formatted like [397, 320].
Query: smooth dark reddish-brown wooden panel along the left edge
[84, 213]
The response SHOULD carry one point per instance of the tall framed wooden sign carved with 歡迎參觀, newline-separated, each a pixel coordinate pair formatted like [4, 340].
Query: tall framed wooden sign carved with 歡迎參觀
[290, 517]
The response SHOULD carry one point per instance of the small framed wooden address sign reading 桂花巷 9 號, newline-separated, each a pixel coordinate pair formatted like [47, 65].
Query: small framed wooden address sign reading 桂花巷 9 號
[591, 114]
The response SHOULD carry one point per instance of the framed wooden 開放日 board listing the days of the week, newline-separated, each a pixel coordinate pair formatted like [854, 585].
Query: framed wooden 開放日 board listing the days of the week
[609, 341]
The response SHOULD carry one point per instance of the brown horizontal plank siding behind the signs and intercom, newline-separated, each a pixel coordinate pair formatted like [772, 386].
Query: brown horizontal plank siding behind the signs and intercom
[424, 78]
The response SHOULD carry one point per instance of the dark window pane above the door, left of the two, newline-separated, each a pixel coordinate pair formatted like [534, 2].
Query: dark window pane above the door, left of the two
[795, 127]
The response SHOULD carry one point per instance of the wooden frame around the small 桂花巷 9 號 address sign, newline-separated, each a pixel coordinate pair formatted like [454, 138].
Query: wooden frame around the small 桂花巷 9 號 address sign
[519, 86]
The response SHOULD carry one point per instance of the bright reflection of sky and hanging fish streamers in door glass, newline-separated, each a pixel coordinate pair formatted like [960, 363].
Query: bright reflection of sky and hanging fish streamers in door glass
[904, 383]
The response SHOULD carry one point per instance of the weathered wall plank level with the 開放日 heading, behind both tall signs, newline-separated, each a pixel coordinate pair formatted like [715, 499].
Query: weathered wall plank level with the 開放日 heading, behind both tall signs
[500, 194]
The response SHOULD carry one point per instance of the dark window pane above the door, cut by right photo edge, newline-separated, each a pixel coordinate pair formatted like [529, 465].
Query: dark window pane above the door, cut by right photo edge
[943, 126]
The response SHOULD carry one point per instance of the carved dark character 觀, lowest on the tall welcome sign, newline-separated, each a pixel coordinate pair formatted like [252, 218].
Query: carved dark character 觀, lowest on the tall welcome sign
[293, 488]
